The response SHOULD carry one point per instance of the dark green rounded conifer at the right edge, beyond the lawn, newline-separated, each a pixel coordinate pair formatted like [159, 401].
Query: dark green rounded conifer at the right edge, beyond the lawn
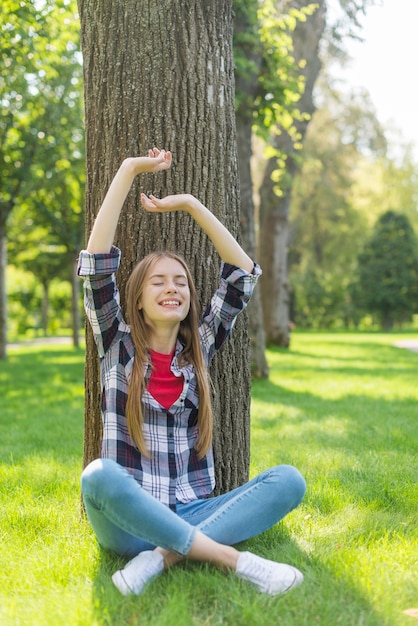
[388, 270]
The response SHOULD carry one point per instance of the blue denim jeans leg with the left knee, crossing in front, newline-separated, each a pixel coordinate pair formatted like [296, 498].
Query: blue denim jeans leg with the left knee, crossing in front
[125, 518]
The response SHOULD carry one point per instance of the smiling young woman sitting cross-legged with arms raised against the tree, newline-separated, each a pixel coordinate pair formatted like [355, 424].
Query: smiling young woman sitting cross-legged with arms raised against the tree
[148, 496]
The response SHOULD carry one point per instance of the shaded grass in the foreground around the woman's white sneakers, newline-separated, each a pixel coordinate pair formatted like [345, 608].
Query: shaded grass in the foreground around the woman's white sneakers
[193, 594]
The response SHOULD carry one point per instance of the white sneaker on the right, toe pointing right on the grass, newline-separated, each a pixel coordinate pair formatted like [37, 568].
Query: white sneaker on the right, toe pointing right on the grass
[270, 577]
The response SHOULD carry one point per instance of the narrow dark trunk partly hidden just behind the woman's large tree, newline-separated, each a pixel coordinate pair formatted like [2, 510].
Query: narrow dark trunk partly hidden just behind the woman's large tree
[247, 85]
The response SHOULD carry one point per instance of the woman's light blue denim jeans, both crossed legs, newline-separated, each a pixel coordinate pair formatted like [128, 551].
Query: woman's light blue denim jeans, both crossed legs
[127, 520]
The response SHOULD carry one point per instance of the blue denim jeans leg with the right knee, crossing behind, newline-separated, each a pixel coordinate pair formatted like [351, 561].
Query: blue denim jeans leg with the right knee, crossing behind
[249, 509]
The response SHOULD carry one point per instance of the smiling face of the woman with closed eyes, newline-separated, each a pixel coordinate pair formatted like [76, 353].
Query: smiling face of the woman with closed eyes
[165, 299]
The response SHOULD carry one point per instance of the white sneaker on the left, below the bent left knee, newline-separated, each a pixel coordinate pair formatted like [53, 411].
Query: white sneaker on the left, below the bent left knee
[137, 573]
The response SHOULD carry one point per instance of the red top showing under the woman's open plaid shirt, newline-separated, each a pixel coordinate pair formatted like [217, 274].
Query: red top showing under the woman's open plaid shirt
[163, 385]
